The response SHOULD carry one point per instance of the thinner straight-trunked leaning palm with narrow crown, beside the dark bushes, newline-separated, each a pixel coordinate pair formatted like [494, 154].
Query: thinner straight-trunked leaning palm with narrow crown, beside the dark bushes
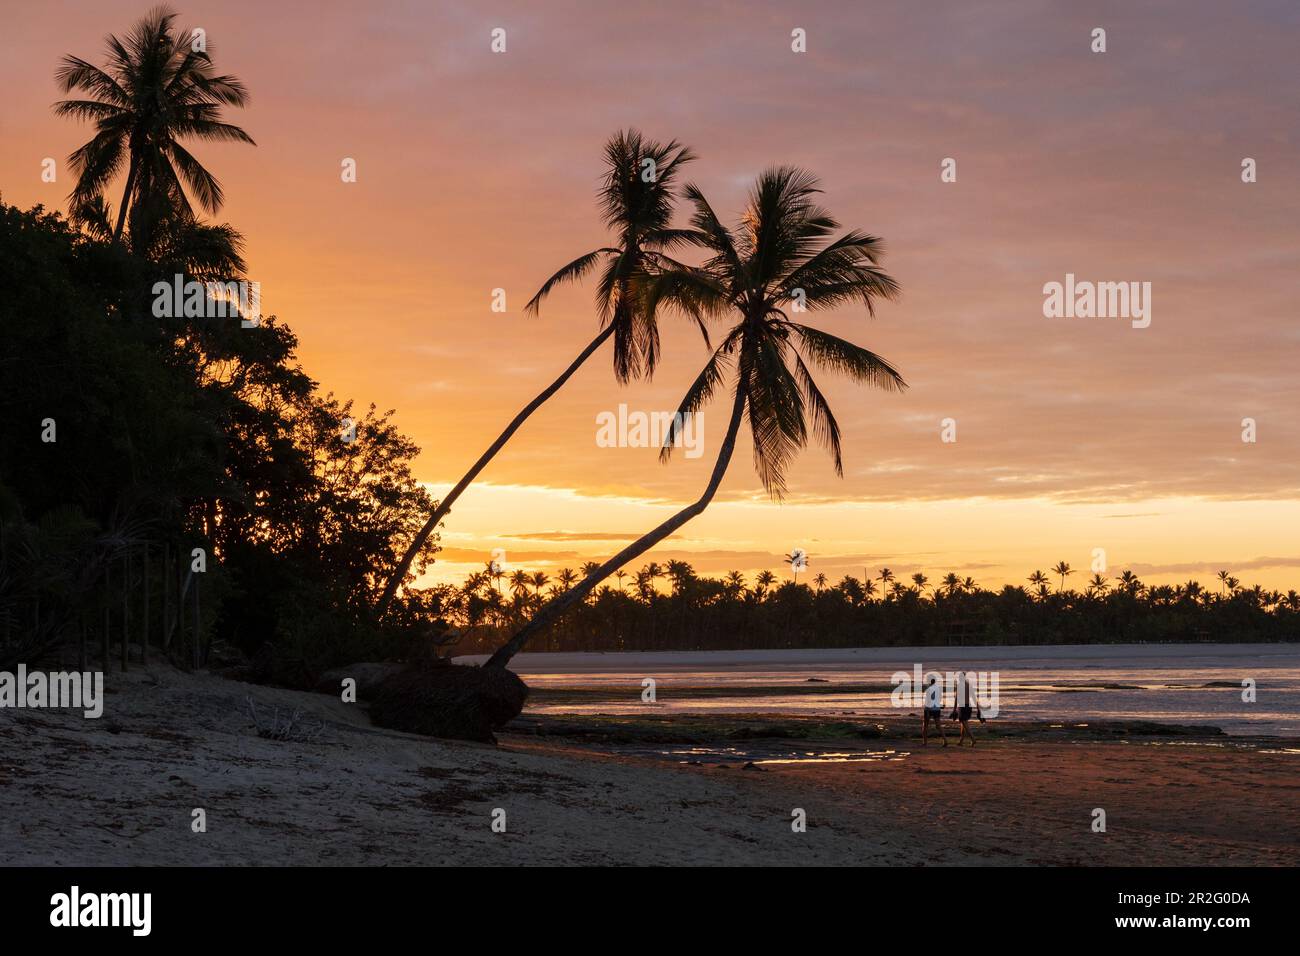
[636, 202]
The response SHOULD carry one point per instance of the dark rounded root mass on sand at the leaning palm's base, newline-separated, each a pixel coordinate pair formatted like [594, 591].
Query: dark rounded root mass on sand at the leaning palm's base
[460, 703]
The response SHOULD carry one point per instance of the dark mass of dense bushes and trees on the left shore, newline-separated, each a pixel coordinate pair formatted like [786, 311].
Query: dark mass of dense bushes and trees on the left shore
[120, 429]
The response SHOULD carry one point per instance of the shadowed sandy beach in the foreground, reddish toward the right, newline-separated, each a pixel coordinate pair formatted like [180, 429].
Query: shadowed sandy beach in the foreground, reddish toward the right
[122, 790]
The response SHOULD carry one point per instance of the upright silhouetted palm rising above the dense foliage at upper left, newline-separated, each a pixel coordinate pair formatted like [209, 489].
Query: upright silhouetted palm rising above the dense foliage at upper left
[155, 90]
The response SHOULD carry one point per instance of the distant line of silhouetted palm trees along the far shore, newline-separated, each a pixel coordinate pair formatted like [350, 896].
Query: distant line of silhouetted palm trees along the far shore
[671, 608]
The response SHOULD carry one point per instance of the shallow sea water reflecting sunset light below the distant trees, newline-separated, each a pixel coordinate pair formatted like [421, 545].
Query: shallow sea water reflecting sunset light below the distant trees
[1194, 684]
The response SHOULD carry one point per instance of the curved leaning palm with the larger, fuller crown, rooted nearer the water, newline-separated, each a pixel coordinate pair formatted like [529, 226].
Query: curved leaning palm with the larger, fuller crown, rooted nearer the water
[777, 259]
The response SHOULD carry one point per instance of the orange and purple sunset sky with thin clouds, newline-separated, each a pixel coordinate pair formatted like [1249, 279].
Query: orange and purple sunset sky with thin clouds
[478, 171]
